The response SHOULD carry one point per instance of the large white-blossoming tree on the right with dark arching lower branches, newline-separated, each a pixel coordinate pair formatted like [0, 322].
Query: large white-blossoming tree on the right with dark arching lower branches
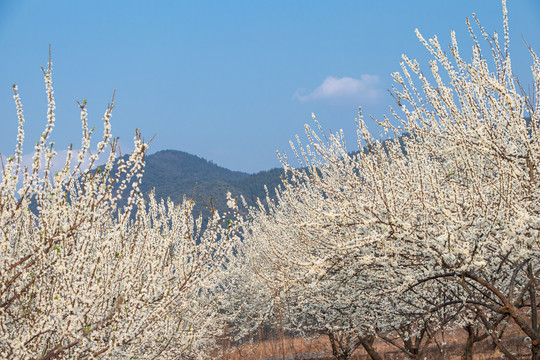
[450, 205]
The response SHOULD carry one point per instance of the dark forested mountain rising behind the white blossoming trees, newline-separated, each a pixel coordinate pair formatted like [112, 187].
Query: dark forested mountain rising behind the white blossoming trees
[175, 174]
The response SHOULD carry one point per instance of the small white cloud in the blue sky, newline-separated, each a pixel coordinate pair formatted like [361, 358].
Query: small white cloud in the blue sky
[363, 90]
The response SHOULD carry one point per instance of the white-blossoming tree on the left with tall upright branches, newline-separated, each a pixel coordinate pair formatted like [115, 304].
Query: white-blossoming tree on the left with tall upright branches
[89, 267]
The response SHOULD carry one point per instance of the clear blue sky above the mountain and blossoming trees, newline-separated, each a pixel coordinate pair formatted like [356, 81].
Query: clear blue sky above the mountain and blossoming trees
[230, 81]
